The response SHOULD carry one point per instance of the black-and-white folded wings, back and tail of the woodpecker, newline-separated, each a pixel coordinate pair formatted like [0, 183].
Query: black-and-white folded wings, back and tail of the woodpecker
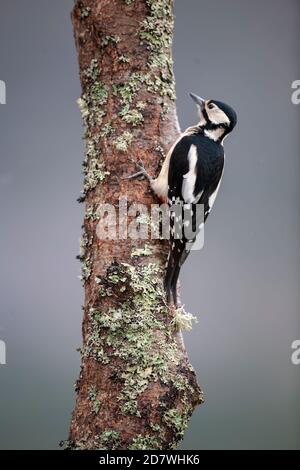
[192, 182]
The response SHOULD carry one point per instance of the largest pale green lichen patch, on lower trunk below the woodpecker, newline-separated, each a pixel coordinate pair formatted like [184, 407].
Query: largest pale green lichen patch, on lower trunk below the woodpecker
[135, 332]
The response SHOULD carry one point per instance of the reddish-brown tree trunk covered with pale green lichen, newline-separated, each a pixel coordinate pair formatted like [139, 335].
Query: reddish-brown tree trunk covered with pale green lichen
[136, 389]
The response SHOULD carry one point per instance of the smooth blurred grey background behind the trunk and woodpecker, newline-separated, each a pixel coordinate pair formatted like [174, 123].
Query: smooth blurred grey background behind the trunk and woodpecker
[244, 285]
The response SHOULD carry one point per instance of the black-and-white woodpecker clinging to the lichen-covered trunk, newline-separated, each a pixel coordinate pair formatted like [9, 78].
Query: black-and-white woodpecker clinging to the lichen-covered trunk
[190, 175]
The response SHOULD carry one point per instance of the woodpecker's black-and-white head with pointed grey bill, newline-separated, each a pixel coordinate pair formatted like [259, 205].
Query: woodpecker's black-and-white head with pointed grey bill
[217, 119]
